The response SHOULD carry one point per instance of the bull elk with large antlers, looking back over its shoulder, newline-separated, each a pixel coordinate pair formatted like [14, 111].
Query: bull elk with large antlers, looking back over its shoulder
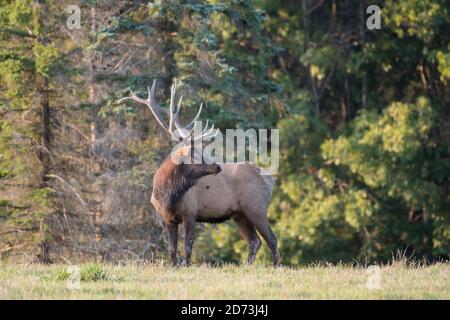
[187, 193]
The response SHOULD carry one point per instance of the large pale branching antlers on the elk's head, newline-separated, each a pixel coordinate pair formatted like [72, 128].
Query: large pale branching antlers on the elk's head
[172, 113]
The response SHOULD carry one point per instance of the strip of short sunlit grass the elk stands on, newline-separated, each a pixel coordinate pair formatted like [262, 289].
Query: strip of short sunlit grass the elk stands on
[140, 281]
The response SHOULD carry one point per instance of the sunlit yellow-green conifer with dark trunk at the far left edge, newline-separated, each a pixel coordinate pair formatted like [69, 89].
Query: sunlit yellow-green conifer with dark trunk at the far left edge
[28, 61]
